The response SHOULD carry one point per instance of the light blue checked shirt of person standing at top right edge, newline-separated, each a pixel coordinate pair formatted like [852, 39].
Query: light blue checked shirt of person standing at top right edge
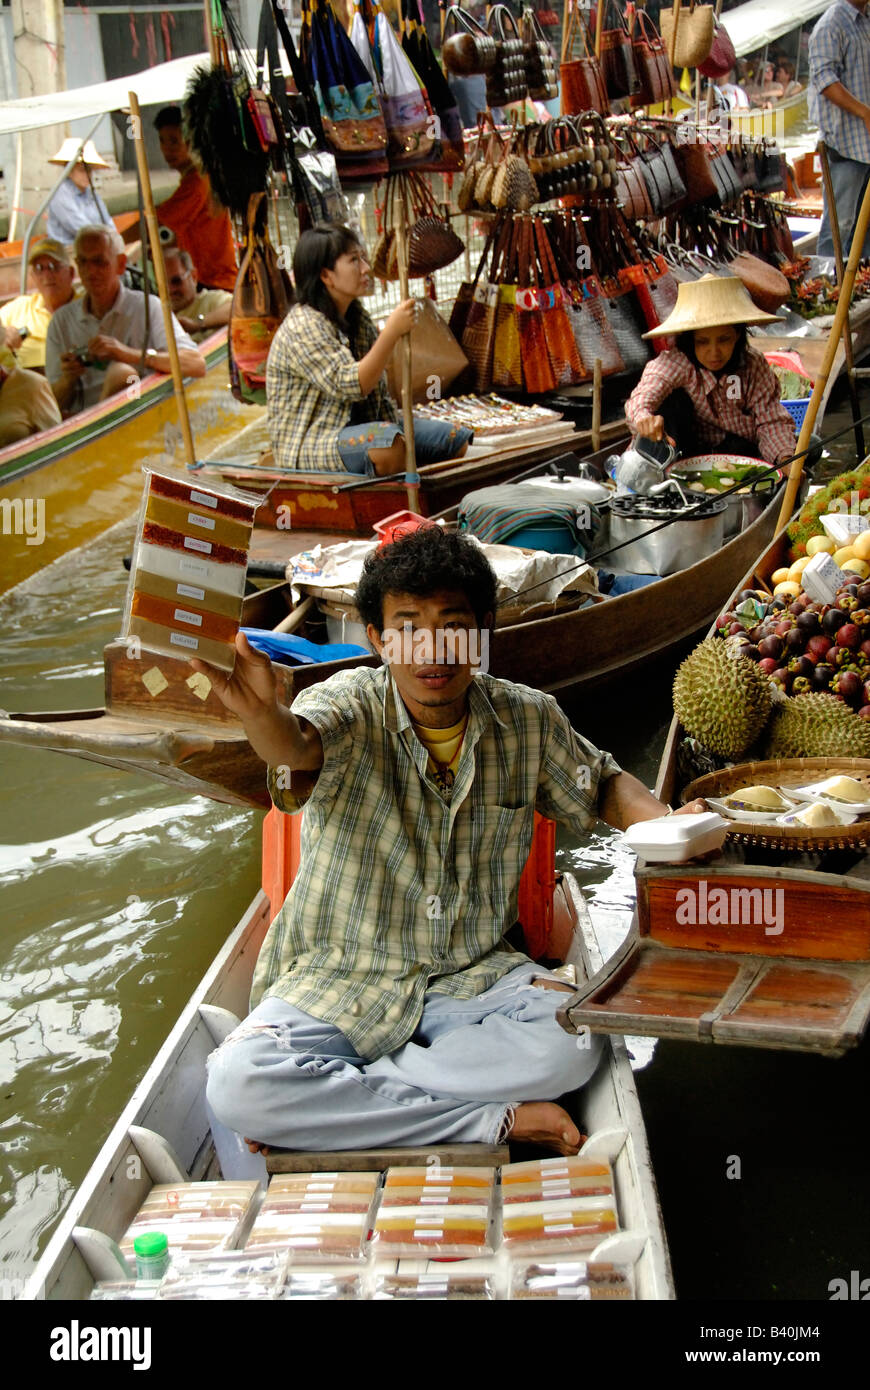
[840, 52]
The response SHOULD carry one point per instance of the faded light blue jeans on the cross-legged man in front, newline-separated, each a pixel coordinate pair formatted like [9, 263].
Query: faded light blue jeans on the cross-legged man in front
[291, 1081]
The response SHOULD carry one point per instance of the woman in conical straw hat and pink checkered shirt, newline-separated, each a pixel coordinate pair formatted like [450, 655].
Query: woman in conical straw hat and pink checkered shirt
[712, 393]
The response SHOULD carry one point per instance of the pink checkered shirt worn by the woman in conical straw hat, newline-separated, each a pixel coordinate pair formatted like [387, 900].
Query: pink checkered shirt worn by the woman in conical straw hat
[746, 404]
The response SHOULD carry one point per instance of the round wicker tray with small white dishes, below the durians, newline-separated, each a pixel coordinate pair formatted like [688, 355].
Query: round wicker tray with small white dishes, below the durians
[785, 774]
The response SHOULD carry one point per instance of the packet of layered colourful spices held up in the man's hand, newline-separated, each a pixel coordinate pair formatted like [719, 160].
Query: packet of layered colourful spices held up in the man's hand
[190, 565]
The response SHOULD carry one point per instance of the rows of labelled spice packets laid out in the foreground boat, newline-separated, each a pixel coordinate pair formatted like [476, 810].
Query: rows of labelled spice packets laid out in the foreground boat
[529, 1231]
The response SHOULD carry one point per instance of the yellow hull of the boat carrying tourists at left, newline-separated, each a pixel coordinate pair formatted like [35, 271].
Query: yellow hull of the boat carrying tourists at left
[85, 475]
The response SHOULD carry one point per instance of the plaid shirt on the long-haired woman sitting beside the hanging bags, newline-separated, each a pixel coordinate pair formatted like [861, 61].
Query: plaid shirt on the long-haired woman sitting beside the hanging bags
[313, 389]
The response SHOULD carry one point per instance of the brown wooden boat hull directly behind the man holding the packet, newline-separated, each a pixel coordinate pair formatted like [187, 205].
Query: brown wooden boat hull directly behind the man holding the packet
[577, 654]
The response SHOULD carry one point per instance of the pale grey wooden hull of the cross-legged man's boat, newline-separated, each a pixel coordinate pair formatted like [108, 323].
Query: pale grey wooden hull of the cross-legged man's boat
[170, 1103]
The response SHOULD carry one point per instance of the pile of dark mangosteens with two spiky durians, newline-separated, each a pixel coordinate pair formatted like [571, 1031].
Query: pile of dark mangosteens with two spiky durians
[785, 678]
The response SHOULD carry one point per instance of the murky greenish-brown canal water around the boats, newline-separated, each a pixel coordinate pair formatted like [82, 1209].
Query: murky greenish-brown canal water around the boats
[117, 892]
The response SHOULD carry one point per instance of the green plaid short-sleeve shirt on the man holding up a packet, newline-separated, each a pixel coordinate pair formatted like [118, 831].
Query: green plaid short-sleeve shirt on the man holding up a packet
[402, 890]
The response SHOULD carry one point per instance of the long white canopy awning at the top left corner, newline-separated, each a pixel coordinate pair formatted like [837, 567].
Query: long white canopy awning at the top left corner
[165, 84]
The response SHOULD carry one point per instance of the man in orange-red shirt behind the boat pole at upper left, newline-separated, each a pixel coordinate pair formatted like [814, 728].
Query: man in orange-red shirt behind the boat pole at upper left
[201, 224]
